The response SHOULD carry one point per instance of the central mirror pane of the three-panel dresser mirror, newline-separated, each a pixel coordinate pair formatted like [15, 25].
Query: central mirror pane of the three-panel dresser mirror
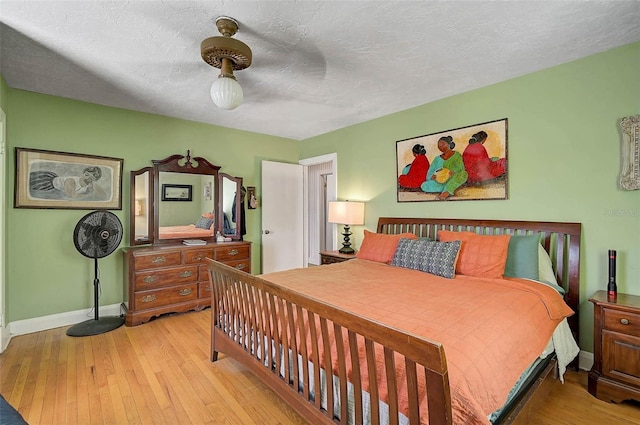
[191, 219]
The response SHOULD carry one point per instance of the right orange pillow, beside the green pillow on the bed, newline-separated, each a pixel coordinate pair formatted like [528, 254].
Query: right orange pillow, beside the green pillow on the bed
[480, 255]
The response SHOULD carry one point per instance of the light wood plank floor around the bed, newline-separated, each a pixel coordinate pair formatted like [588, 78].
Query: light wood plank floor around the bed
[160, 373]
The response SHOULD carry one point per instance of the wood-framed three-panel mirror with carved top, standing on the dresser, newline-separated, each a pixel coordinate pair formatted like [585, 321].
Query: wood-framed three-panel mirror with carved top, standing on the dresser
[180, 198]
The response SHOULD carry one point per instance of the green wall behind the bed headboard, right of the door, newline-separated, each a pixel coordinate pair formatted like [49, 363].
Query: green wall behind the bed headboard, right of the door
[563, 160]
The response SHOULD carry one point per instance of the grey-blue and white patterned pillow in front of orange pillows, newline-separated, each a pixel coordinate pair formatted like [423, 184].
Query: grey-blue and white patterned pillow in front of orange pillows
[433, 257]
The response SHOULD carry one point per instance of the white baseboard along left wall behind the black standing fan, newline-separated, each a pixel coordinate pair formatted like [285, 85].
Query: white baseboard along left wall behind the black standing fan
[37, 324]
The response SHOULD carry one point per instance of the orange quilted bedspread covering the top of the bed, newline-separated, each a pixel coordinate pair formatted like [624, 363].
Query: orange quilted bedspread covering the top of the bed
[491, 329]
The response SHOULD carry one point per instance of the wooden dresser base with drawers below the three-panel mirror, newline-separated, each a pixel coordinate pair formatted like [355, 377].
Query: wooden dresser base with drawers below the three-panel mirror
[174, 278]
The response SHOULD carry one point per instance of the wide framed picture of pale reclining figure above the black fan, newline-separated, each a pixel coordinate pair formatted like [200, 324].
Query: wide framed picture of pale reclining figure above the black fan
[65, 180]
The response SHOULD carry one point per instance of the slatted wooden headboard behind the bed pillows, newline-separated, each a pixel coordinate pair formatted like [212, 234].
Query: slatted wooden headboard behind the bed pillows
[560, 240]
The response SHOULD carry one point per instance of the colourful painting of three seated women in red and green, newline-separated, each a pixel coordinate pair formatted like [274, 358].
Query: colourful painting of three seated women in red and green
[467, 163]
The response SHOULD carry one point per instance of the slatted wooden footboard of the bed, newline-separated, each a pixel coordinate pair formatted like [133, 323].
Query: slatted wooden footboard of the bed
[281, 335]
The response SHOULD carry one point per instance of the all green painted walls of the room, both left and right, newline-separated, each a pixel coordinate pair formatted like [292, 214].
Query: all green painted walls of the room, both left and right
[564, 161]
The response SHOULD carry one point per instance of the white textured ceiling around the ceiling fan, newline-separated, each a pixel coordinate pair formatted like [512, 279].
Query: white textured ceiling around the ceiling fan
[318, 66]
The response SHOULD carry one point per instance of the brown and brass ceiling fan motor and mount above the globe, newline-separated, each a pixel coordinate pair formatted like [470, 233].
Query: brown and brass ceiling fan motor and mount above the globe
[215, 50]
